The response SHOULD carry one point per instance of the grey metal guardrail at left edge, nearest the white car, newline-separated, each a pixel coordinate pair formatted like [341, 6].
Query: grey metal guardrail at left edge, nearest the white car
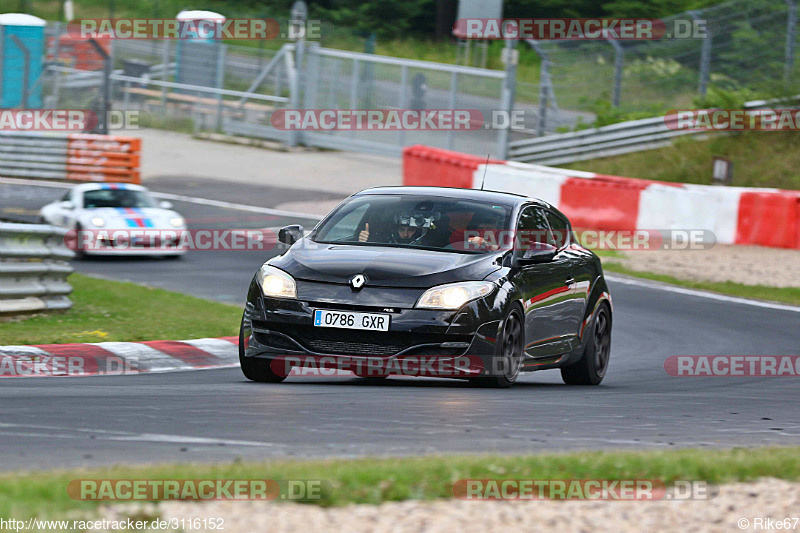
[34, 265]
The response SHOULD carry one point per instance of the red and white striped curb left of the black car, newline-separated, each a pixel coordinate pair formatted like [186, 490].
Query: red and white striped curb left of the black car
[117, 358]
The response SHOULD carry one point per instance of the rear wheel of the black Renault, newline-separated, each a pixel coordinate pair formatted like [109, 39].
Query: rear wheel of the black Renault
[591, 368]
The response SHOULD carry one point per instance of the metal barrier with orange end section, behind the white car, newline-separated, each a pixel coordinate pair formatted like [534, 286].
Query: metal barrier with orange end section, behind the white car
[69, 156]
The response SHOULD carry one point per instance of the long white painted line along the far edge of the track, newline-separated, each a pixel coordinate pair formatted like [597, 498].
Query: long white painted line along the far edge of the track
[267, 210]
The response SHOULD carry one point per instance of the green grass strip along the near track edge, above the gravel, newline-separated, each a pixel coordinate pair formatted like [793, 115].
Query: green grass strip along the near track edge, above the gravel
[373, 481]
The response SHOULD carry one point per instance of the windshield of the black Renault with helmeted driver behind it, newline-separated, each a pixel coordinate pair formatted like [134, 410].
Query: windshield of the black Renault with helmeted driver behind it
[427, 222]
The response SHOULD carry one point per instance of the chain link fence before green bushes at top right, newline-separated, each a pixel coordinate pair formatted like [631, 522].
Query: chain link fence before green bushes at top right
[743, 46]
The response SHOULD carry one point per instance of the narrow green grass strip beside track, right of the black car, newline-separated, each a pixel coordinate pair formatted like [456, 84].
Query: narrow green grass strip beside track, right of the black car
[788, 295]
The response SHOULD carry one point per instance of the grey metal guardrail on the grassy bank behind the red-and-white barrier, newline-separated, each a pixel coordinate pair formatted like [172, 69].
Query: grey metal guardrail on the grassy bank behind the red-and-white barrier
[607, 141]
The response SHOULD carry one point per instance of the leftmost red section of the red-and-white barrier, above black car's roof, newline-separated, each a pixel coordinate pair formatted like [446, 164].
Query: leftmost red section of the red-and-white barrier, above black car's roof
[425, 165]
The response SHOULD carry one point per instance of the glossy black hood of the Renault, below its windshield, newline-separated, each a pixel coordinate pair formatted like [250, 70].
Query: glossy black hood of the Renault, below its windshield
[383, 266]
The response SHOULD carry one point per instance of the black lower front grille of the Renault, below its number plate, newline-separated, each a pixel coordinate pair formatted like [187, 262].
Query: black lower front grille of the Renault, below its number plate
[356, 342]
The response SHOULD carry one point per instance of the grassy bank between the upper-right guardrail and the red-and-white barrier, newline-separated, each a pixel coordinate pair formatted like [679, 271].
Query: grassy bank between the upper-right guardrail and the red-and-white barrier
[760, 159]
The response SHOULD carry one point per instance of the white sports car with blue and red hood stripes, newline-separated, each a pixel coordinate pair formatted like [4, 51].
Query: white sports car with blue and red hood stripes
[117, 219]
